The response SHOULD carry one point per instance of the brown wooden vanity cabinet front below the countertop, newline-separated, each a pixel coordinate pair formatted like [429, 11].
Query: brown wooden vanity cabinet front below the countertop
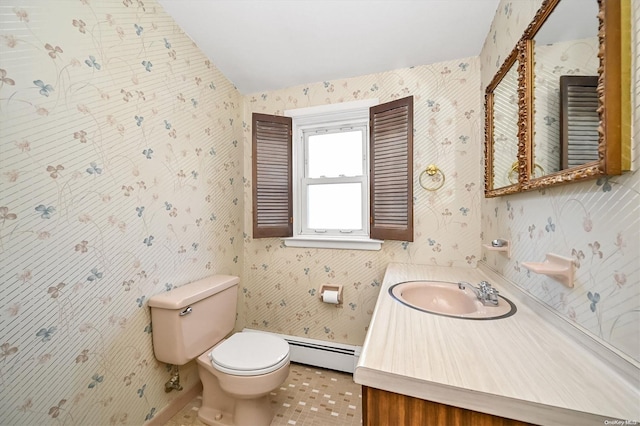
[387, 408]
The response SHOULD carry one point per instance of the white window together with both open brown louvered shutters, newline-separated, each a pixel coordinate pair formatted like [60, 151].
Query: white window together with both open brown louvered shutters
[341, 174]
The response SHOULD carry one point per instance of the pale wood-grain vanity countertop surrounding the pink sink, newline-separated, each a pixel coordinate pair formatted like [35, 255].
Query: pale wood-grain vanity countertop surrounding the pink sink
[521, 367]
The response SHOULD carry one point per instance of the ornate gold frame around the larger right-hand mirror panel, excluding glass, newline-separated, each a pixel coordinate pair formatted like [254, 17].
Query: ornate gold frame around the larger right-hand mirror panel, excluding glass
[609, 77]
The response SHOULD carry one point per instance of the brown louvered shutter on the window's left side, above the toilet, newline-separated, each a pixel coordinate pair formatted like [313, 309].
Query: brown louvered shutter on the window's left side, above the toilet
[272, 199]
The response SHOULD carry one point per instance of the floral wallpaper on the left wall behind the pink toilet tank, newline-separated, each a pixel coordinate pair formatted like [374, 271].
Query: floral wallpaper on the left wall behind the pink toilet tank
[120, 177]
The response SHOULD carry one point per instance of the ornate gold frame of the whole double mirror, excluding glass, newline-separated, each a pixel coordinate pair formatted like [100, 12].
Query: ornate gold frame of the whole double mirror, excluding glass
[613, 104]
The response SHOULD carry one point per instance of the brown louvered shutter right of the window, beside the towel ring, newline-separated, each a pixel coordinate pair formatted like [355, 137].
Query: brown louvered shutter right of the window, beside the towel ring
[391, 170]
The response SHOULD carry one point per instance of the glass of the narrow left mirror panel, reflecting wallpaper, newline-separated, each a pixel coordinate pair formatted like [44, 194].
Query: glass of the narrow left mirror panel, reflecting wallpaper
[505, 130]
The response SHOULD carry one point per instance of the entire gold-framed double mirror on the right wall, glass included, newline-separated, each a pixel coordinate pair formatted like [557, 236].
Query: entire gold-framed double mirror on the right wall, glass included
[573, 119]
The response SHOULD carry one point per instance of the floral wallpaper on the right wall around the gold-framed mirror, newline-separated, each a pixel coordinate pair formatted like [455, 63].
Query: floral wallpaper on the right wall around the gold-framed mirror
[596, 222]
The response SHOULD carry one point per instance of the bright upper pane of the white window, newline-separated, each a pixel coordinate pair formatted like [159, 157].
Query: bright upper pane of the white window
[335, 154]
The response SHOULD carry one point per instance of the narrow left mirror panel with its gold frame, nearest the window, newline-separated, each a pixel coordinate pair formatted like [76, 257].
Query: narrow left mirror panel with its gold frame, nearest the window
[502, 130]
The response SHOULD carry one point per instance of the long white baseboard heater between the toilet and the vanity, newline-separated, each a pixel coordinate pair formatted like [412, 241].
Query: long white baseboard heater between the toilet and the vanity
[319, 353]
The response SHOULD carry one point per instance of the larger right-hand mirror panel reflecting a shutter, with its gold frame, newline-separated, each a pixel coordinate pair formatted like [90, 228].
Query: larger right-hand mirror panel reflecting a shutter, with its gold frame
[574, 104]
